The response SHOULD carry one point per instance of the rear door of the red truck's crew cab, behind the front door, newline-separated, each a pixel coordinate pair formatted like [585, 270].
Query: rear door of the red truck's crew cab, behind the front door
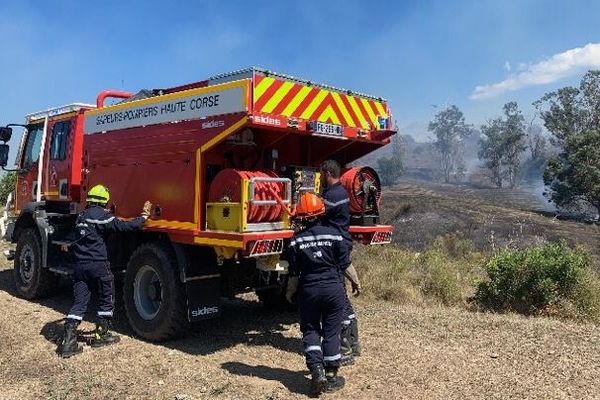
[58, 165]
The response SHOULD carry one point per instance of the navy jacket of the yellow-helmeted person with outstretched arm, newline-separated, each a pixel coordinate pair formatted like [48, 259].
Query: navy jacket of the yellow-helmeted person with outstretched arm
[92, 224]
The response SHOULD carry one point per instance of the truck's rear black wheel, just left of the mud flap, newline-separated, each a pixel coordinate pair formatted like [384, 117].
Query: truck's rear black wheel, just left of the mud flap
[153, 295]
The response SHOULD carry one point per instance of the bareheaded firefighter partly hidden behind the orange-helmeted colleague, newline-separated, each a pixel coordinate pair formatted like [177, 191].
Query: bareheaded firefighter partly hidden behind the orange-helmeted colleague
[337, 215]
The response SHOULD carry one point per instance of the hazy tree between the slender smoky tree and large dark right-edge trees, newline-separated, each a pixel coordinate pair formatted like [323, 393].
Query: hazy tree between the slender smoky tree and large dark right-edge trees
[503, 144]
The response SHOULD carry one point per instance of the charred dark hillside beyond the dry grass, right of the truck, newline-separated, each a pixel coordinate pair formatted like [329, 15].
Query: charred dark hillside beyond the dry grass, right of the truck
[491, 218]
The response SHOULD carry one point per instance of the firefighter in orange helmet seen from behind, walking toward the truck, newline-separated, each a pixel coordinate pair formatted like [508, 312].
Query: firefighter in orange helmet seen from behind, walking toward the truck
[317, 267]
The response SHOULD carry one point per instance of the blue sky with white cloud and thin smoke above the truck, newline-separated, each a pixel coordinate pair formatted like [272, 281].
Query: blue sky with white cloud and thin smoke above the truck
[420, 55]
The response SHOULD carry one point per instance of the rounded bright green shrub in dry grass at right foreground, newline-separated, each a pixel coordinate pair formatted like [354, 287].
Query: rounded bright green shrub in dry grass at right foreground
[533, 280]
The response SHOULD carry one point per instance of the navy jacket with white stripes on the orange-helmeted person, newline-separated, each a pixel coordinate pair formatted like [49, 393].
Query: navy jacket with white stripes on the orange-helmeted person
[318, 254]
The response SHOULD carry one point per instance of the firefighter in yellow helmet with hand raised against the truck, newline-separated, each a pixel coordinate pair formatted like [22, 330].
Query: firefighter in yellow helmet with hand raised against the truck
[92, 269]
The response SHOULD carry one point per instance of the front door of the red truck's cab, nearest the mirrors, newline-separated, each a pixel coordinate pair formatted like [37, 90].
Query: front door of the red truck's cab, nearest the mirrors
[28, 165]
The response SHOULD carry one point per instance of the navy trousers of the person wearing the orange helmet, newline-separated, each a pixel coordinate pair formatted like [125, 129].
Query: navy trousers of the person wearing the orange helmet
[322, 309]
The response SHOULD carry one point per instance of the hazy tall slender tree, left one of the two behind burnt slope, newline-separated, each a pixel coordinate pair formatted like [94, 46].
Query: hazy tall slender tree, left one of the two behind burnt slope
[450, 129]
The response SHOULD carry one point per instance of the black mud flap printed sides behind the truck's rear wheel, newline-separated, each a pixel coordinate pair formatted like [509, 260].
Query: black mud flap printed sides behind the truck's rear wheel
[203, 294]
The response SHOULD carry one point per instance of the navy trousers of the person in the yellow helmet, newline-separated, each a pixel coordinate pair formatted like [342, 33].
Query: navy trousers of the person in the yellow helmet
[90, 276]
